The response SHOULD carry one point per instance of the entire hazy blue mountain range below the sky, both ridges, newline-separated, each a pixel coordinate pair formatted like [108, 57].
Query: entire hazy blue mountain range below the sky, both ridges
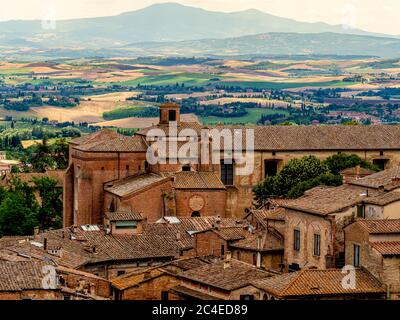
[170, 27]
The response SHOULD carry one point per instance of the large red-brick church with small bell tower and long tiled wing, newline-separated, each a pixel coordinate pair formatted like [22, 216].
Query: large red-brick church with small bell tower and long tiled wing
[109, 172]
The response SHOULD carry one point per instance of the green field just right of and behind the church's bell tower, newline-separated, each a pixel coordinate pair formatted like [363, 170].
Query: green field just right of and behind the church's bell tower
[254, 114]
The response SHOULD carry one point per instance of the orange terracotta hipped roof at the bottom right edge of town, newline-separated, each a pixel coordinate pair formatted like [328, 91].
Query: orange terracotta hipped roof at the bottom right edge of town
[317, 282]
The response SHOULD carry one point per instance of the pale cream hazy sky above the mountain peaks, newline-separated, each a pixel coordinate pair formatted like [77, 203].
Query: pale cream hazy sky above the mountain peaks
[371, 15]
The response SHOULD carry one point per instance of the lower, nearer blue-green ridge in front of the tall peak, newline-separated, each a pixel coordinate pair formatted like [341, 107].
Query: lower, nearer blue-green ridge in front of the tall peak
[276, 44]
